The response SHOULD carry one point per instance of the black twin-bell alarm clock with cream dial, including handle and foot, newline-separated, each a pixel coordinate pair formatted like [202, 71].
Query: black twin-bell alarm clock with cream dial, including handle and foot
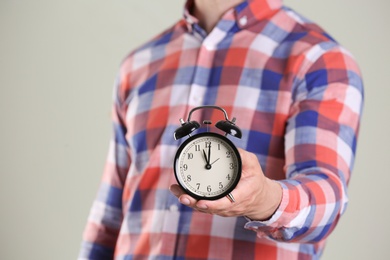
[207, 165]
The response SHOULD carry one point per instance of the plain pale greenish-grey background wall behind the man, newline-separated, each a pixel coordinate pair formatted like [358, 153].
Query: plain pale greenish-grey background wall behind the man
[58, 62]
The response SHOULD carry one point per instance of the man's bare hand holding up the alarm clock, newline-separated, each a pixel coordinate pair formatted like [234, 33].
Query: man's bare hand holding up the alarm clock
[257, 197]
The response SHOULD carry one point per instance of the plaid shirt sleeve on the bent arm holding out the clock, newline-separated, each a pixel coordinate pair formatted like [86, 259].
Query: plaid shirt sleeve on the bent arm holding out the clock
[320, 146]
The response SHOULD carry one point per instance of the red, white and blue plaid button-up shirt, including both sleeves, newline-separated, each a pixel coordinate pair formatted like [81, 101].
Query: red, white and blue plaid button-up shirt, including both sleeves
[297, 96]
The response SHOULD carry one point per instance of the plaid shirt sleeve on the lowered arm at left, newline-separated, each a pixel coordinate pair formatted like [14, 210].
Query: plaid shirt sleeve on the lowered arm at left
[105, 218]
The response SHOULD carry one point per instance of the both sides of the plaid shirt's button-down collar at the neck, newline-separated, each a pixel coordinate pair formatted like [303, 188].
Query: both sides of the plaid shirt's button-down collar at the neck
[246, 13]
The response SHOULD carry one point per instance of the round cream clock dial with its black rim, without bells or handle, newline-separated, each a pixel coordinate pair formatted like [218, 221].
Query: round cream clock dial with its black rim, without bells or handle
[207, 166]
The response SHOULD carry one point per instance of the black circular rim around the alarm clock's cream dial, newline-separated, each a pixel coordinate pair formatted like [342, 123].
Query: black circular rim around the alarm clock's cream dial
[235, 150]
